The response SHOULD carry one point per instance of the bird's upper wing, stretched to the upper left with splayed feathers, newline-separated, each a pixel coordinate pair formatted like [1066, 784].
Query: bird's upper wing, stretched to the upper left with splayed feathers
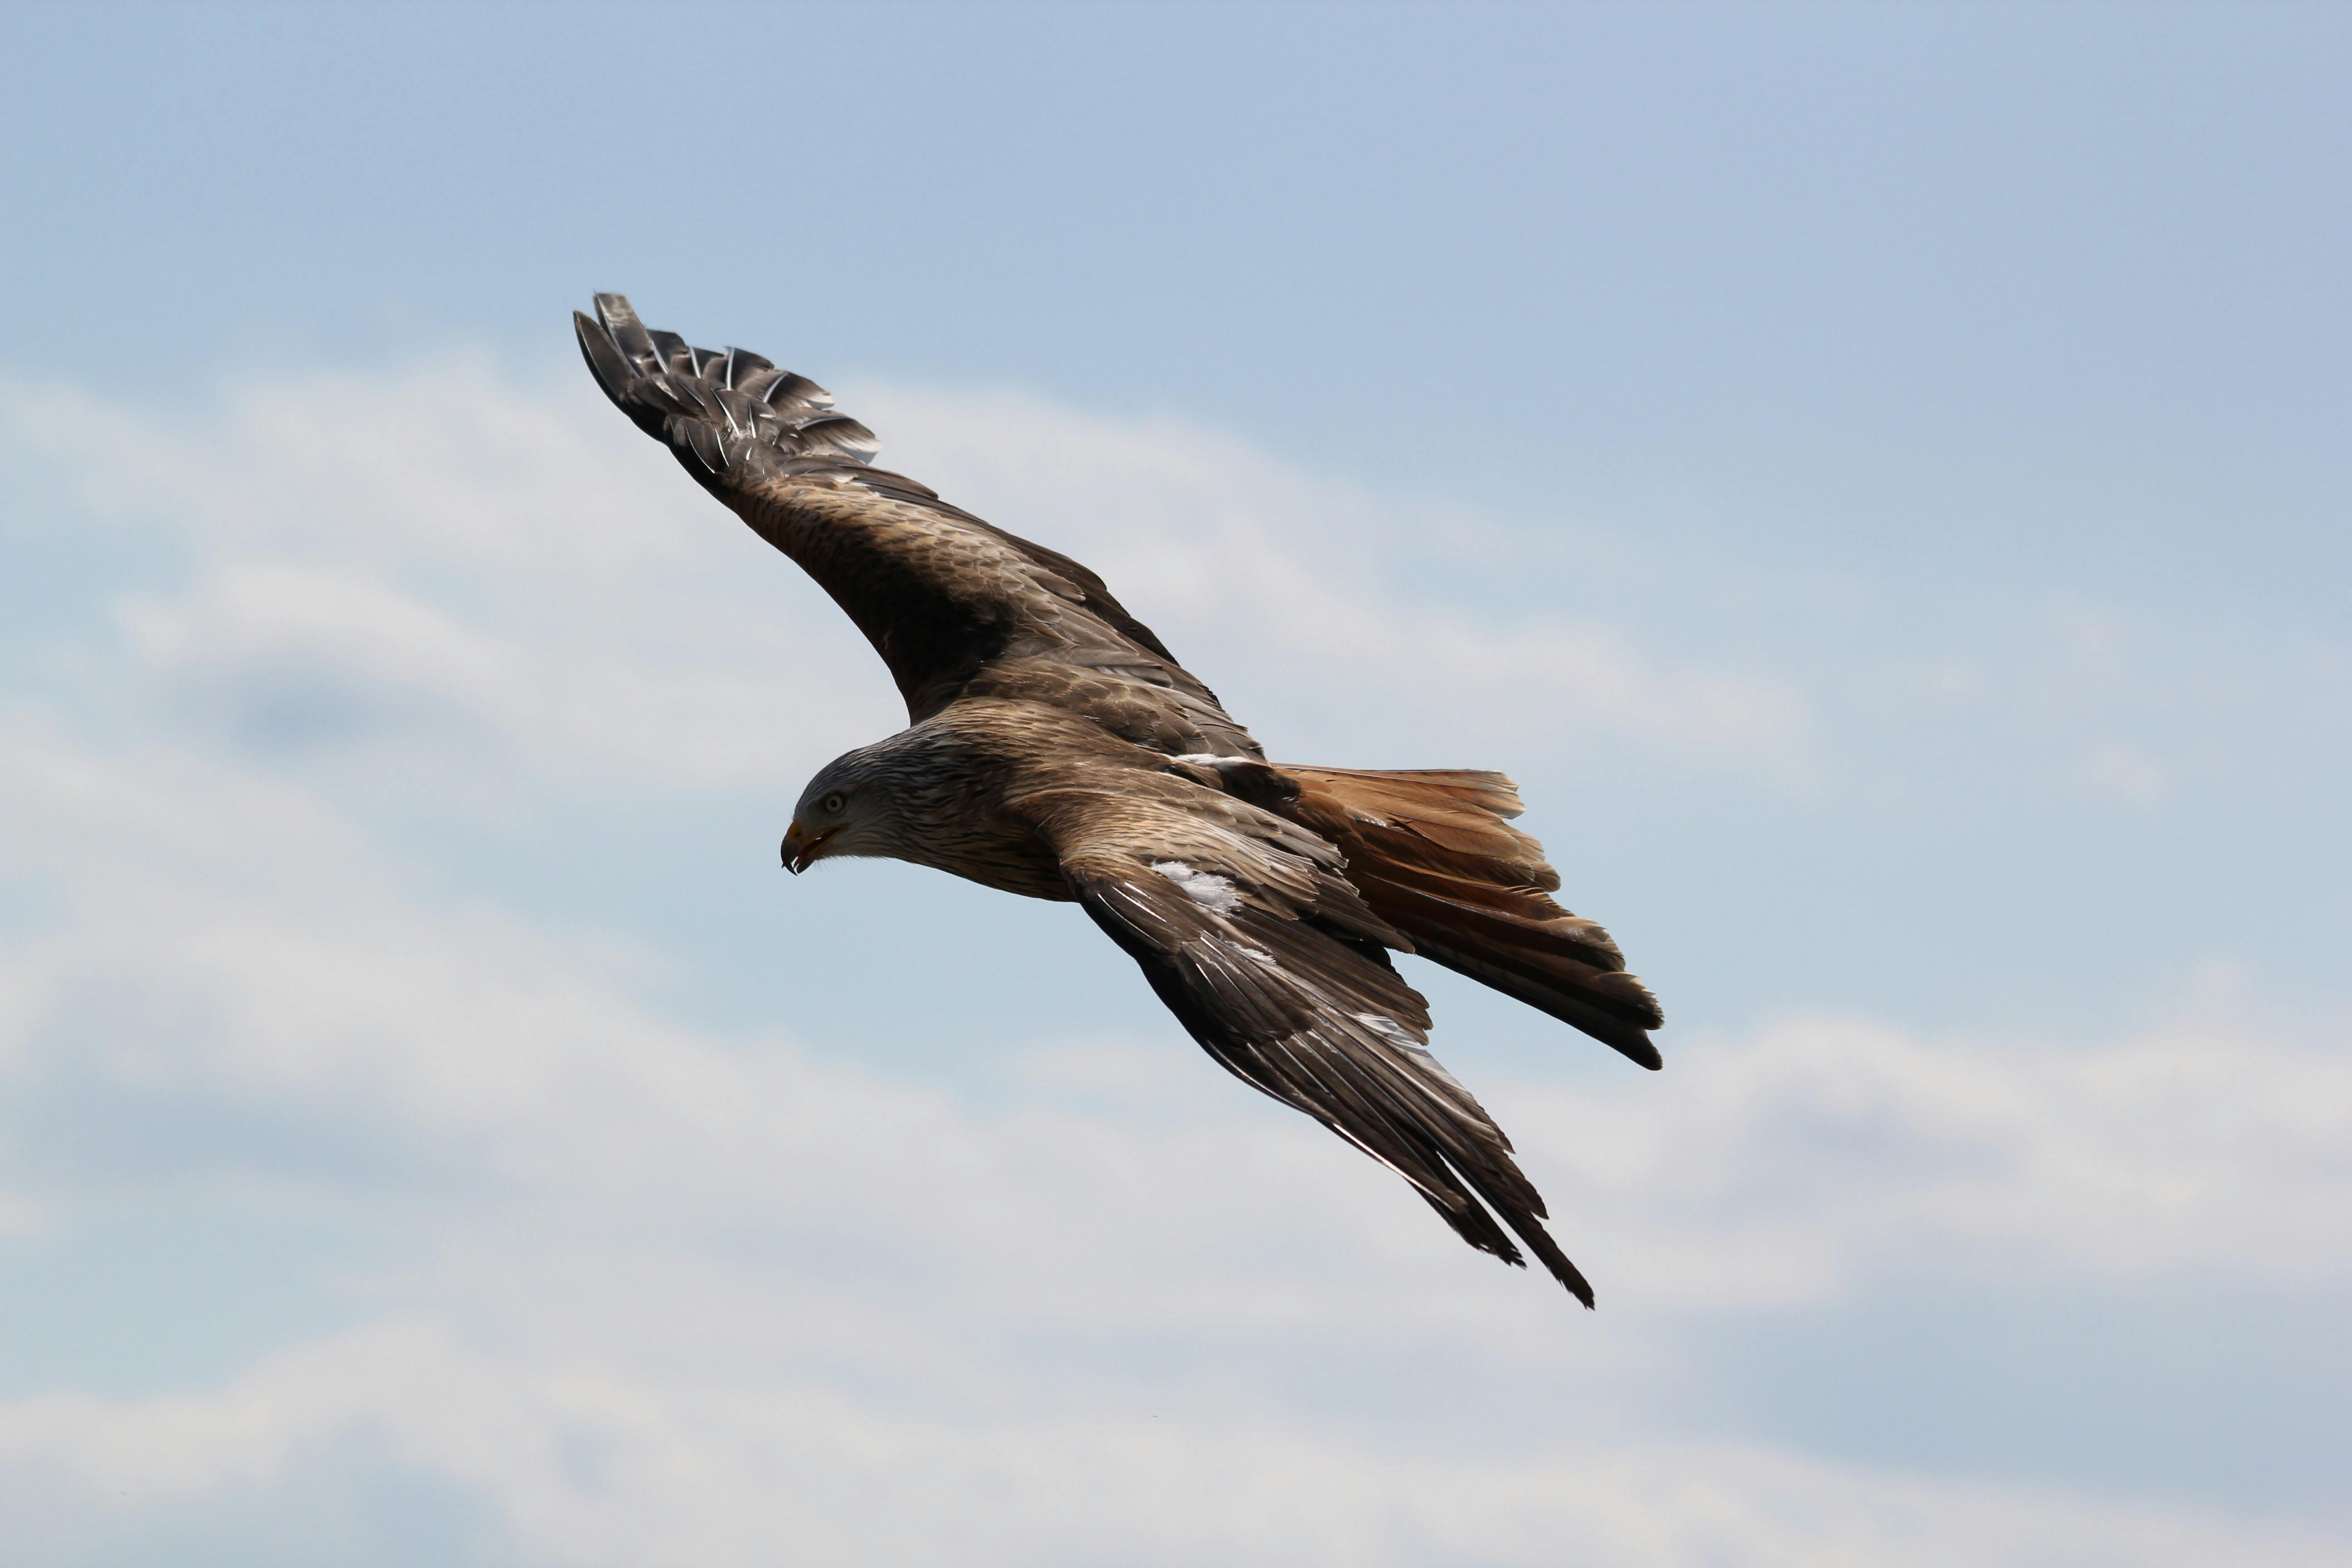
[954, 605]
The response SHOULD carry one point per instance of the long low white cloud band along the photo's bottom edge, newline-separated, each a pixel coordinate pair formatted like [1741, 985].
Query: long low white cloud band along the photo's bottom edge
[596, 1470]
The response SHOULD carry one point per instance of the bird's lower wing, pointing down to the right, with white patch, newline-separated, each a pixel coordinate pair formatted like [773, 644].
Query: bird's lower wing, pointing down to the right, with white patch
[1252, 937]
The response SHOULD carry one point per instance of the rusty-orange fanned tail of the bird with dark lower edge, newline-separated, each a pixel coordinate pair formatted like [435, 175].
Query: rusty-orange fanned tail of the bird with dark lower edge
[1436, 857]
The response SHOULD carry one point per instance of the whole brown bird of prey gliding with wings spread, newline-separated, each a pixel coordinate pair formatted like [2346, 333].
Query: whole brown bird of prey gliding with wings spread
[1057, 749]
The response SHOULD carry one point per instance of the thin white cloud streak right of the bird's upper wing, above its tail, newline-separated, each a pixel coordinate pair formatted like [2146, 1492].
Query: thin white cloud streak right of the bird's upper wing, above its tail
[1255, 565]
